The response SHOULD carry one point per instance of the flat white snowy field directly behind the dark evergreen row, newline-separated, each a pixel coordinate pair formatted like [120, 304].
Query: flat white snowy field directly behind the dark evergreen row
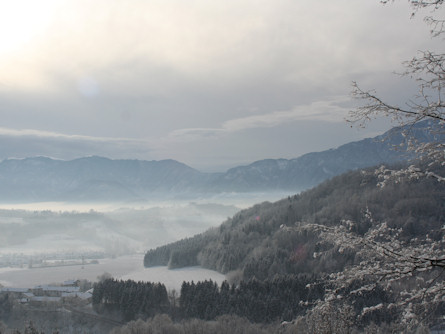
[125, 267]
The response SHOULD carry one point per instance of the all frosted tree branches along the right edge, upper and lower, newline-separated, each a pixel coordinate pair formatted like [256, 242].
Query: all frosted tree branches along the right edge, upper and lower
[412, 271]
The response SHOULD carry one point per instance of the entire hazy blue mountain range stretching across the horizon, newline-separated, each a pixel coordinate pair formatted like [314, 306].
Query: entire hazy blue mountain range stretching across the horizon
[96, 178]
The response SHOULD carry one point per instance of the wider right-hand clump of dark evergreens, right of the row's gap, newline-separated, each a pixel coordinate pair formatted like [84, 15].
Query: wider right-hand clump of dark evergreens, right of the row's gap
[282, 298]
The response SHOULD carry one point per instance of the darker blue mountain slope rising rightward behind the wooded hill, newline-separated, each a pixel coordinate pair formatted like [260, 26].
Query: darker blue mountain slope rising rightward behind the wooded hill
[311, 169]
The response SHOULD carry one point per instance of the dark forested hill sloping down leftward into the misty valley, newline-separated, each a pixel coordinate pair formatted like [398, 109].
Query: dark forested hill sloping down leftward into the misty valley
[261, 241]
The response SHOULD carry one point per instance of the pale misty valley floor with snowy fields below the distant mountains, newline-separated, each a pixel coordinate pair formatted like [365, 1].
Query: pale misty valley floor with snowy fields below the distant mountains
[38, 234]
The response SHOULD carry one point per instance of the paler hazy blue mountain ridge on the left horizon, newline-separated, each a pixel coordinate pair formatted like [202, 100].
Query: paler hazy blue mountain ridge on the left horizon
[92, 178]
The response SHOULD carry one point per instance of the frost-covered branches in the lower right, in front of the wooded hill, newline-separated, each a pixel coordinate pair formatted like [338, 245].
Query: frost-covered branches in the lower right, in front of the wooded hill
[412, 272]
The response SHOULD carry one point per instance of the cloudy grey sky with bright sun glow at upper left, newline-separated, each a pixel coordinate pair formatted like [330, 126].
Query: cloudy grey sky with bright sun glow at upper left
[213, 84]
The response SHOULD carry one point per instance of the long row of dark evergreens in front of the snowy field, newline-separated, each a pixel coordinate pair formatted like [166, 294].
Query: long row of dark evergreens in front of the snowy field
[280, 299]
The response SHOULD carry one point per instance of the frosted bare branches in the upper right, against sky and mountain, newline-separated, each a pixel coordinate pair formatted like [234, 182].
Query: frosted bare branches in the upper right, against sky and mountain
[427, 69]
